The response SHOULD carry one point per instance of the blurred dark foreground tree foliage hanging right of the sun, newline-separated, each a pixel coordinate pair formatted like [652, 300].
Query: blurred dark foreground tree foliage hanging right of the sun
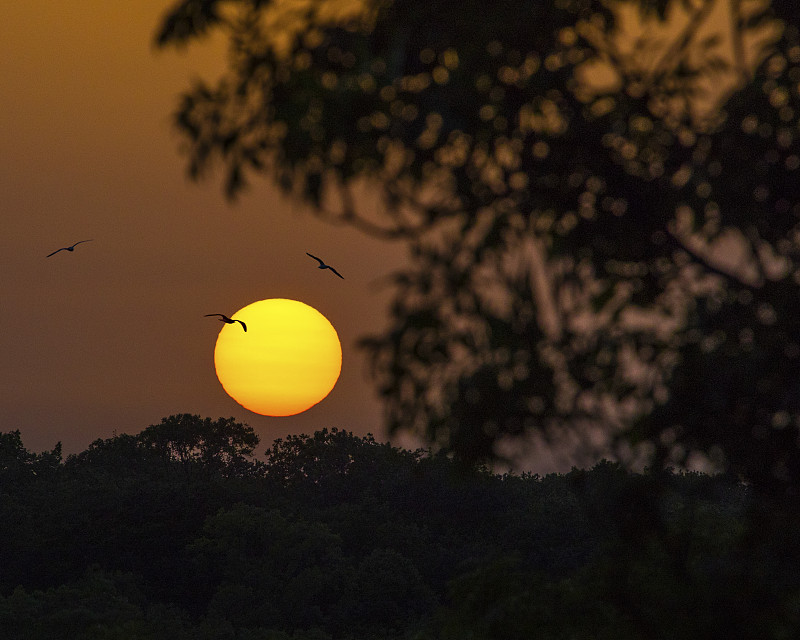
[600, 200]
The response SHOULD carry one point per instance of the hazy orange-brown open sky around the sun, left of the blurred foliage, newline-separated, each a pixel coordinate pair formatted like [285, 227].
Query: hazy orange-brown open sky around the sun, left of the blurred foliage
[111, 338]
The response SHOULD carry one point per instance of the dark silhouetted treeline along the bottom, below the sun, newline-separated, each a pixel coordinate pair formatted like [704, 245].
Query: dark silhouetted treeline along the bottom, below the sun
[180, 532]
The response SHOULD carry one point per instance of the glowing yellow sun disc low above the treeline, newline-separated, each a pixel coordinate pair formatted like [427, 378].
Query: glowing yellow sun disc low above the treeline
[288, 360]
